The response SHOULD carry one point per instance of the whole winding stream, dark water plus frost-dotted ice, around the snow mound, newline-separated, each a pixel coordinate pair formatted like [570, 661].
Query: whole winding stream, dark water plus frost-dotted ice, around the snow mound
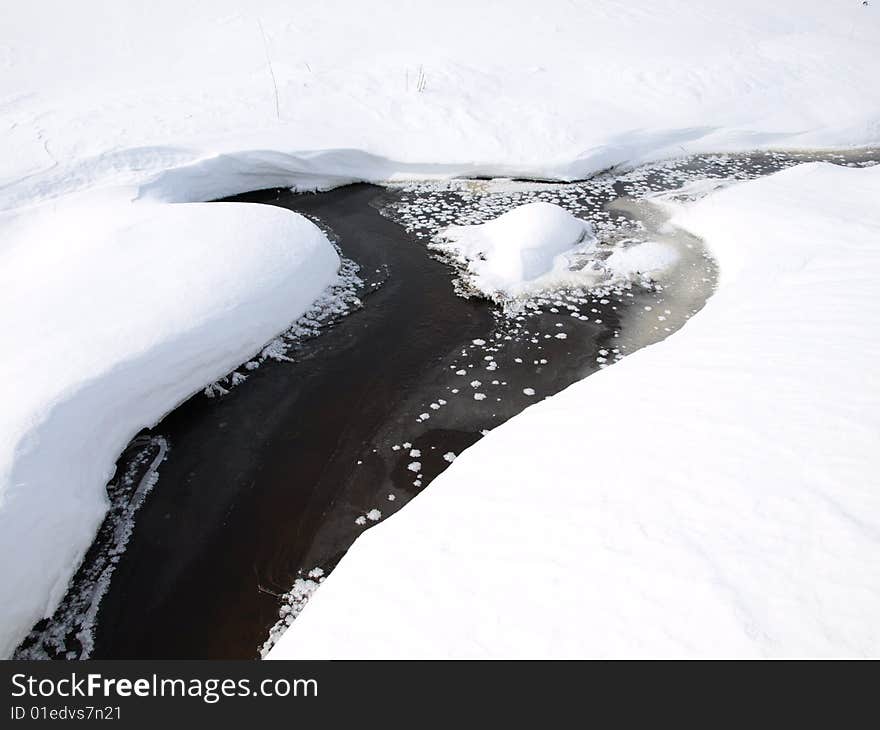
[237, 496]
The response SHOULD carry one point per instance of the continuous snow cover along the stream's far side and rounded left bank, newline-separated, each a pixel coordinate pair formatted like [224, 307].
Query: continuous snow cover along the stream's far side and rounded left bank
[112, 111]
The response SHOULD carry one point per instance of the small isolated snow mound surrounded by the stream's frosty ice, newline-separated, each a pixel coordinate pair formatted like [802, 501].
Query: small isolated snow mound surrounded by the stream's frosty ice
[519, 250]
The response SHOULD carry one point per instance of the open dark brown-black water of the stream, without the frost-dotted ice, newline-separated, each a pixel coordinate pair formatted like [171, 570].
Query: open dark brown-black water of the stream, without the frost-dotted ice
[263, 481]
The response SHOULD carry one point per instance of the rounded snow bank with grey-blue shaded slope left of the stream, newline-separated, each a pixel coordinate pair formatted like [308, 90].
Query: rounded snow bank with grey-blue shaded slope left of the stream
[113, 315]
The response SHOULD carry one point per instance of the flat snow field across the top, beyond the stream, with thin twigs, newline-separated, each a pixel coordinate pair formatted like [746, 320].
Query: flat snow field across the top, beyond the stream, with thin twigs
[181, 98]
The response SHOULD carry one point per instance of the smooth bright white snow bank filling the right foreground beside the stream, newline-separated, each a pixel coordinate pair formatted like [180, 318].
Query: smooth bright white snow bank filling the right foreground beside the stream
[714, 494]
